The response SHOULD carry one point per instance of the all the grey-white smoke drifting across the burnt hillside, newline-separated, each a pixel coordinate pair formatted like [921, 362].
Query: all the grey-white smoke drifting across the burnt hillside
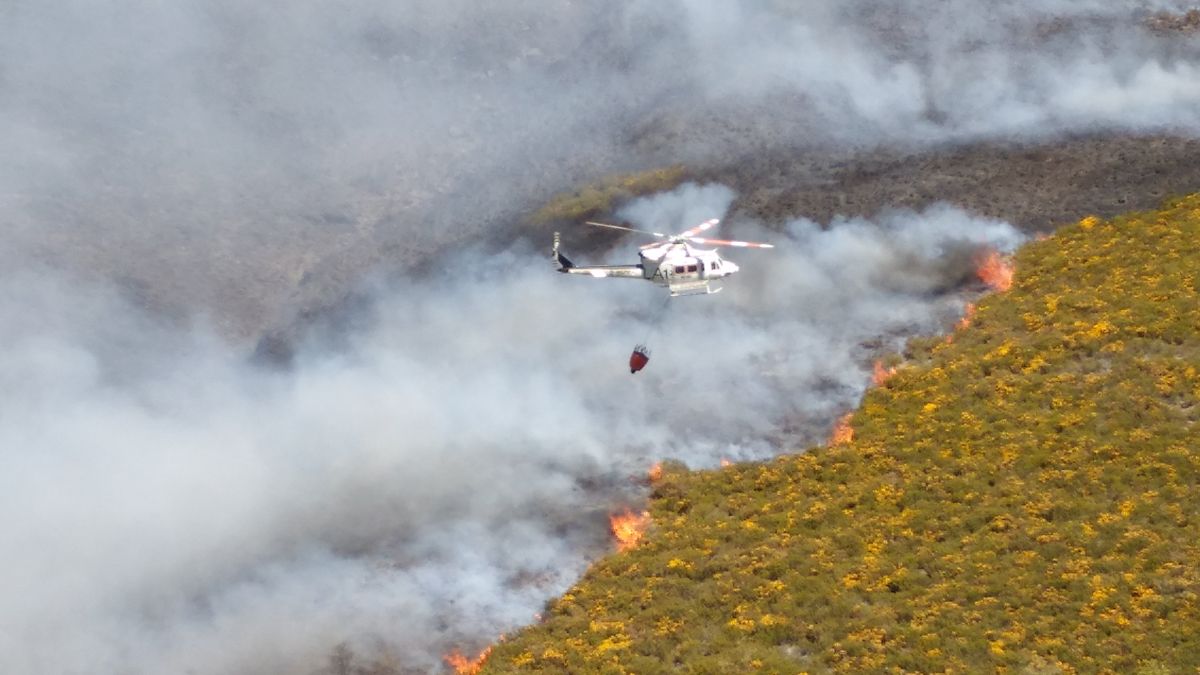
[182, 178]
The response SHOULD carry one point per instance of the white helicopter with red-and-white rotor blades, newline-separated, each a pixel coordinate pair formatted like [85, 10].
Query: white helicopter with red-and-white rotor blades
[675, 262]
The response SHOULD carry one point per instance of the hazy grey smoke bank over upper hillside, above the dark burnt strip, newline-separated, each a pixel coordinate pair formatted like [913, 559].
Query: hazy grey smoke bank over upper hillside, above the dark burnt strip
[250, 160]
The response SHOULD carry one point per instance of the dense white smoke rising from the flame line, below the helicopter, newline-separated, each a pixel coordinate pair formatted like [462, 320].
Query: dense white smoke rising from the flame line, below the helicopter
[170, 509]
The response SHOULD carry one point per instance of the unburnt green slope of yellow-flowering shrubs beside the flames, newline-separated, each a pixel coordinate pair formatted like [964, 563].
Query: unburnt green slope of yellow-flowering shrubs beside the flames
[1023, 498]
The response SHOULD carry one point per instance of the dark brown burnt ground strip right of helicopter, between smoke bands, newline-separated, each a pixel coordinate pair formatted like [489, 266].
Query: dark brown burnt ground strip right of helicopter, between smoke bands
[1034, 187]
